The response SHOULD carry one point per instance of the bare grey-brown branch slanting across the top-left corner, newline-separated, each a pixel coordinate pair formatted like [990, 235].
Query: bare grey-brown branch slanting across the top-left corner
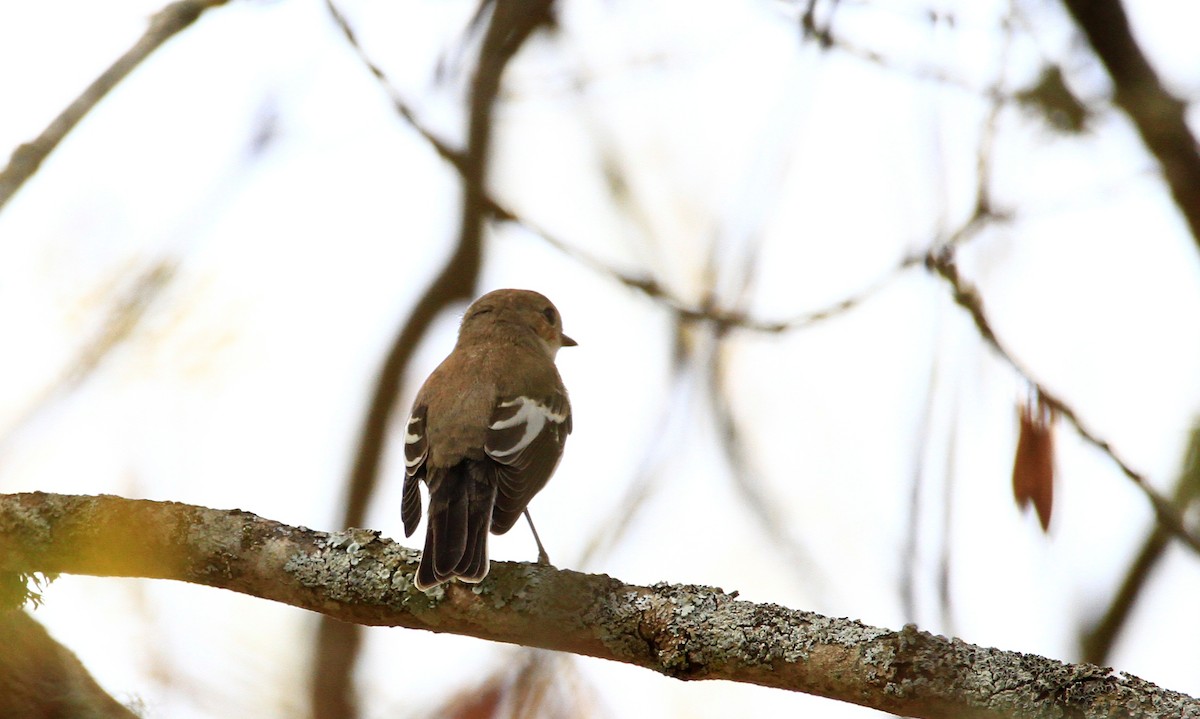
[28, 158]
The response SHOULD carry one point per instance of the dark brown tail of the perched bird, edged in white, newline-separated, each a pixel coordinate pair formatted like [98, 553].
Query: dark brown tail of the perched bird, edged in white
[457, 536]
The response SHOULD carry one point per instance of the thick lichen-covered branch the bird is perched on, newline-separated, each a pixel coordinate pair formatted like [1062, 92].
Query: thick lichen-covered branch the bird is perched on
[682, 632]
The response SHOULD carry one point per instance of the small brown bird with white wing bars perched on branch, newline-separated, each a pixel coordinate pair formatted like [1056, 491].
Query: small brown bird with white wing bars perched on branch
[487, 433]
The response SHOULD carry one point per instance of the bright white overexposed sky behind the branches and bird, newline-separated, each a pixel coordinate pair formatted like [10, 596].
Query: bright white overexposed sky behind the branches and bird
[292, 269]
